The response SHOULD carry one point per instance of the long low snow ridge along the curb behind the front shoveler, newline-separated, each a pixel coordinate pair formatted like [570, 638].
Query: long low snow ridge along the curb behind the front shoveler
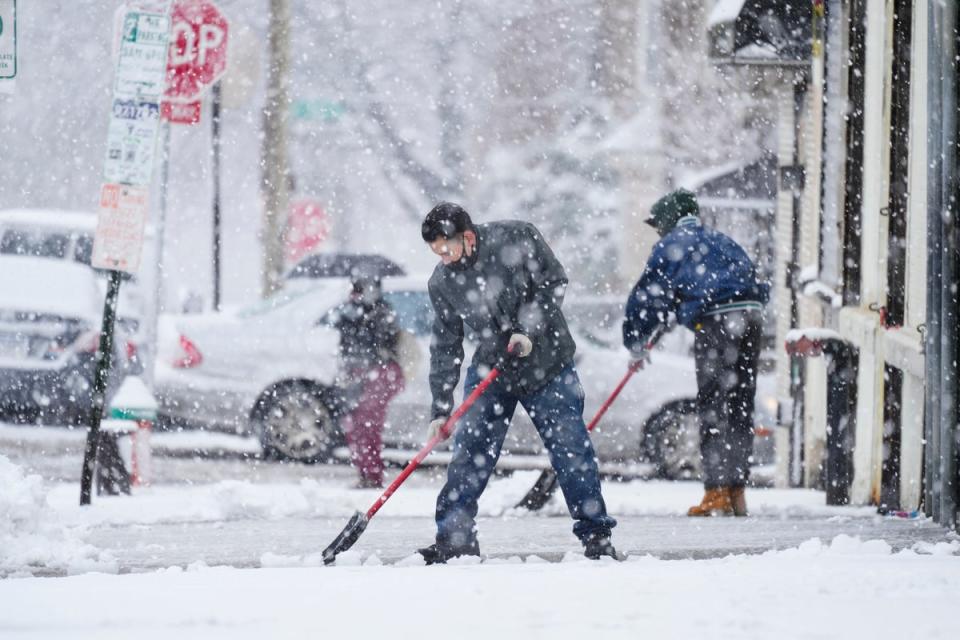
[234, 500]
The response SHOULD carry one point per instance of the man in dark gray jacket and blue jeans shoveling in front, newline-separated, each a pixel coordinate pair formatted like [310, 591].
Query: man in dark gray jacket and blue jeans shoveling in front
[503, 282]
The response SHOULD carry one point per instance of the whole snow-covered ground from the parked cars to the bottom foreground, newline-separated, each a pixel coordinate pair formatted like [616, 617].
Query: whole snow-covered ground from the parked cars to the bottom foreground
[228, 547]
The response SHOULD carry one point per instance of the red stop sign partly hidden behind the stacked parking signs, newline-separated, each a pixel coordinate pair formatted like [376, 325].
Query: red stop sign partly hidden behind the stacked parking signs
[198, 49]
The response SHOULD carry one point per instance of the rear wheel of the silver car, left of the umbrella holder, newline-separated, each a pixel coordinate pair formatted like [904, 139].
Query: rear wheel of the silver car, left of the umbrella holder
[297, 420]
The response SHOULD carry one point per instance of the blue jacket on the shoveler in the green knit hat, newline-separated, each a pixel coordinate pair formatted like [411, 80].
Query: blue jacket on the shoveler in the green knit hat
[692, 272]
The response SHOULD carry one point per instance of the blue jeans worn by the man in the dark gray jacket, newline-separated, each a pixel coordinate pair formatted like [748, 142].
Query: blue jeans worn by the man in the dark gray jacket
[556, 410]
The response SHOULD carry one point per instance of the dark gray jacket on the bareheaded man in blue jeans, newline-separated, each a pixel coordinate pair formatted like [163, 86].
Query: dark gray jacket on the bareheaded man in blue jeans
[511, 284]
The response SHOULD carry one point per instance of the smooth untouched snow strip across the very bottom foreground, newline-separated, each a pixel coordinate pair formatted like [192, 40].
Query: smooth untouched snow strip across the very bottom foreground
[846, 588]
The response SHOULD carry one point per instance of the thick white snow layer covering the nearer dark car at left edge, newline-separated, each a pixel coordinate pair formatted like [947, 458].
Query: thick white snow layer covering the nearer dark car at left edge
[42, 285]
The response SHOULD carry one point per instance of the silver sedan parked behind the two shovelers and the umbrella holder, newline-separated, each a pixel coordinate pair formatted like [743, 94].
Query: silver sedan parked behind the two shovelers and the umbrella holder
[269, 370]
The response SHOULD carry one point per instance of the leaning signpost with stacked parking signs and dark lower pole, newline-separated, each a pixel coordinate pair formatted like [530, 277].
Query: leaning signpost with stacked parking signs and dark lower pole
[124, 198]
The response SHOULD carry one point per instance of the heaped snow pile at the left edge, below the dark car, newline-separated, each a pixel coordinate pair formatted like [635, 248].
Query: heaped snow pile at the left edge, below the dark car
[31, 538]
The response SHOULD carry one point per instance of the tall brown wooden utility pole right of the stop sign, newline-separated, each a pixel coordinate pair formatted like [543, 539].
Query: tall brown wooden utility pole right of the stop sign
[274, 183]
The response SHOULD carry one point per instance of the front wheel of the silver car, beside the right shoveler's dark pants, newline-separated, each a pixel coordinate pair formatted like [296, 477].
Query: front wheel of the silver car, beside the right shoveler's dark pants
[671, 441]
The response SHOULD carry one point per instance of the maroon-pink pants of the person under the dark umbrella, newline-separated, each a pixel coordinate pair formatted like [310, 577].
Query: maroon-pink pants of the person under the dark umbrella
[363, 427]
